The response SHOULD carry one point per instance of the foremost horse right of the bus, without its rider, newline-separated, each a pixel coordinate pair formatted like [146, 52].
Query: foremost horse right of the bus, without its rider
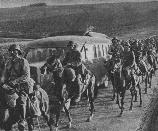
[121, 84]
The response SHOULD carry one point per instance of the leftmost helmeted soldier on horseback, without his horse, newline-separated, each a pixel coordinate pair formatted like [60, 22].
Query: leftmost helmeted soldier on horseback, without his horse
[18, 77]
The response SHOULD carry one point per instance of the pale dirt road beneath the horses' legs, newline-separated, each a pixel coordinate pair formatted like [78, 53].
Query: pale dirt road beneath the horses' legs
[106, 115]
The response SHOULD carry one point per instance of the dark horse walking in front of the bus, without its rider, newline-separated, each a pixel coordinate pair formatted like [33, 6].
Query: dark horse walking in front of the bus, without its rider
[65, 81]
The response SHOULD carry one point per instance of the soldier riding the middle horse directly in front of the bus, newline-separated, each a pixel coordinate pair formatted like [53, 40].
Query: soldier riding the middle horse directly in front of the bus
[73, 60]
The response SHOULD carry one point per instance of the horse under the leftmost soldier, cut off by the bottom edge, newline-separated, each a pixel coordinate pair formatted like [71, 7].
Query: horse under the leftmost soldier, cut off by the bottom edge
[9, 114]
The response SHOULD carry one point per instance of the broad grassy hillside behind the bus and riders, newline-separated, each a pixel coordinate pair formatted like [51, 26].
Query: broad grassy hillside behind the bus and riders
[119, 19]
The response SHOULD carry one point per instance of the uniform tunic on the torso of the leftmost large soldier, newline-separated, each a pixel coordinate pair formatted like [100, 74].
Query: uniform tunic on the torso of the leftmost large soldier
[18, 70]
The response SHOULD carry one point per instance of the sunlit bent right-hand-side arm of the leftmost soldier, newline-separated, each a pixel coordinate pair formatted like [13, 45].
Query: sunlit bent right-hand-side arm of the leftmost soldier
[26, 72]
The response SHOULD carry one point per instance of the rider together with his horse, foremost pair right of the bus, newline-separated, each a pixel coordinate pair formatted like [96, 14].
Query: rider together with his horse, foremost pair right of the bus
[125, 77]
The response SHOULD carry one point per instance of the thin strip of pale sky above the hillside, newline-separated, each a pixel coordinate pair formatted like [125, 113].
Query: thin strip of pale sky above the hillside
[16, 3]
